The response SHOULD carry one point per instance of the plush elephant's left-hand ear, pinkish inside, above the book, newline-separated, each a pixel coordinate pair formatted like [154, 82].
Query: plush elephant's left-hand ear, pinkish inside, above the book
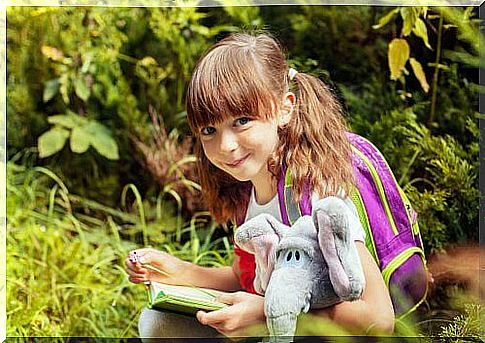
[260, 236]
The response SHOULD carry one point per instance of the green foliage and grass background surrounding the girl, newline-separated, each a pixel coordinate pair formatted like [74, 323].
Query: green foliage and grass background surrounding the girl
[99, 153]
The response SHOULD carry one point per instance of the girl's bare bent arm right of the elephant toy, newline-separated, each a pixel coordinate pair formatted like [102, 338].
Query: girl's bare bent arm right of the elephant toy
[373, 313]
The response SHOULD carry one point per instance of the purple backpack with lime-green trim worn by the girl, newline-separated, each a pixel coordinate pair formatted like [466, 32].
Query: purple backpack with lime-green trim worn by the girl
[392, 231]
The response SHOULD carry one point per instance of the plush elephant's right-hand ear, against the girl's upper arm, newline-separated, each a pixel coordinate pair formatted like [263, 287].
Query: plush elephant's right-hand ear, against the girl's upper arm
[331, 217]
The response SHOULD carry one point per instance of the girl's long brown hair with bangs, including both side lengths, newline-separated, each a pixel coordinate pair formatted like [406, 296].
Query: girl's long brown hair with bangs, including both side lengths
[247, 75]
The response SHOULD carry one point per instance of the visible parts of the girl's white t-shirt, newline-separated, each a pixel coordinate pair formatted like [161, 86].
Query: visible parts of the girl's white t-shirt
[273, 208]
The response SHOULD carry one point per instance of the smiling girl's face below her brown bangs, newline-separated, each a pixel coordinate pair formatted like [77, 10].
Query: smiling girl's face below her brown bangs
[241, 146]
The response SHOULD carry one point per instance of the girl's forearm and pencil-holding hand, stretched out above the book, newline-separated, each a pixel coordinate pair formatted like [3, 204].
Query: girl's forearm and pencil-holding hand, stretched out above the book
[172, 270]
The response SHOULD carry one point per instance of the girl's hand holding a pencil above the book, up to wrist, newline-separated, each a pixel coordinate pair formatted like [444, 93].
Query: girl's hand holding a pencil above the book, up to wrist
[172, 270]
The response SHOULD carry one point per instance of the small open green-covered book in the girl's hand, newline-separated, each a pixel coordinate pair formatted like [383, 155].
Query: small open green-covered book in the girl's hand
[182, 299]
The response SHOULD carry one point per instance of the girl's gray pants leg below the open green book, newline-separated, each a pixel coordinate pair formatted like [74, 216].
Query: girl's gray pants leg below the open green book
[157, 324]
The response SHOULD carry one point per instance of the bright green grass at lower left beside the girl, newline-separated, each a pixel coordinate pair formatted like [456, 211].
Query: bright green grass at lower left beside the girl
[65, 273]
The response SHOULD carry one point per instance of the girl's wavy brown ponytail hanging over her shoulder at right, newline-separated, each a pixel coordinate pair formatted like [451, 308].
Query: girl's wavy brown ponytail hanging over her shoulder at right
[314, 145]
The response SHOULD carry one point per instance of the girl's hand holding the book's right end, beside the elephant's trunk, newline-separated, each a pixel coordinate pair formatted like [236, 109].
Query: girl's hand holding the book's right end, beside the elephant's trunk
[244, 317]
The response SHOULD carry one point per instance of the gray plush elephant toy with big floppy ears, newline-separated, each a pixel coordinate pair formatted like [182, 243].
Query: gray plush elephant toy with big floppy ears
[313, 264]
